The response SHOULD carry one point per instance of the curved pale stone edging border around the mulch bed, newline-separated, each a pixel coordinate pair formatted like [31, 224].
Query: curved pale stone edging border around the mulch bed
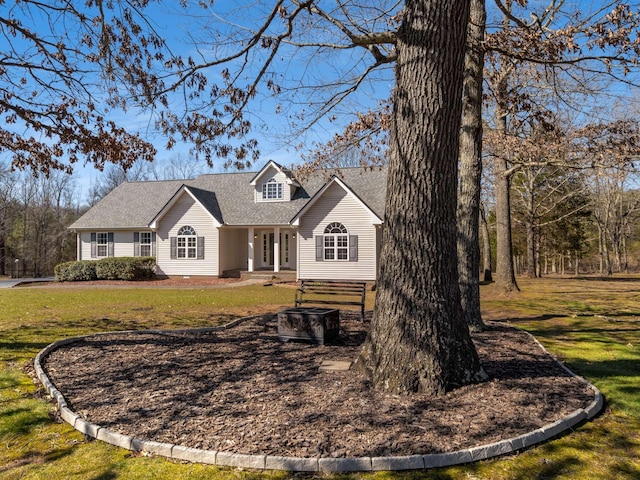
[299, 464]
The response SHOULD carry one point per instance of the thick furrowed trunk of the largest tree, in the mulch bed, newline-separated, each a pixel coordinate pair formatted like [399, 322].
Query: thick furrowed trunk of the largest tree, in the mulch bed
[419, 341]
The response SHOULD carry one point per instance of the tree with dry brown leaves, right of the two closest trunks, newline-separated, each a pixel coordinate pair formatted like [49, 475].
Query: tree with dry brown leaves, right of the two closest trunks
[548, 42]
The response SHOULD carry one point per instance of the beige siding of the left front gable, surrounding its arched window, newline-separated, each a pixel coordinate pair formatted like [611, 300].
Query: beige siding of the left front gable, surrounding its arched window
[184, 212]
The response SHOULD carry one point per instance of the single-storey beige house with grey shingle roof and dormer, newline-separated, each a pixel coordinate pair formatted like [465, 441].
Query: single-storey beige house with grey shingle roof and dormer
[326, 227]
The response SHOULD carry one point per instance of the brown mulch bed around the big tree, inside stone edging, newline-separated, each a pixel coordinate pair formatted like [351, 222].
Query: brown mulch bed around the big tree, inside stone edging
[242, 390]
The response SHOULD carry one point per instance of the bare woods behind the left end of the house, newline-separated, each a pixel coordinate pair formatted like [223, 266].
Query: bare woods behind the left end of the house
[36, 211]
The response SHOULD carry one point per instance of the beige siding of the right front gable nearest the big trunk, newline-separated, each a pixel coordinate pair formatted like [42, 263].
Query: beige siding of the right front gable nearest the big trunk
[336, 205]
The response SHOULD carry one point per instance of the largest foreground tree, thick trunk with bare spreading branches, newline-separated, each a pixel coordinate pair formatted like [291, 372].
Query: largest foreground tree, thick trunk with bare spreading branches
[237, 64]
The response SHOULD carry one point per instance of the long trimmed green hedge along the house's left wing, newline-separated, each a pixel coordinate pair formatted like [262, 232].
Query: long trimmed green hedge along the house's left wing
[112, 268]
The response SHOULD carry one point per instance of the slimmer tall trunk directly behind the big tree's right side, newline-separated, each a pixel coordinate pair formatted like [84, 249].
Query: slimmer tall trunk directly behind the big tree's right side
[471, 169]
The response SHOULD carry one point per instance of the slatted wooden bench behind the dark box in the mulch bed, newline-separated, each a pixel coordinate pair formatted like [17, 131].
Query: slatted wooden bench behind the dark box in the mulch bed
[332, 292]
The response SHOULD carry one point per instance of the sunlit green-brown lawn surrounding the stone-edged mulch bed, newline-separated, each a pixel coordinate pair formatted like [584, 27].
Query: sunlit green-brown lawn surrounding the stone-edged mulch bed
[590, 324]
